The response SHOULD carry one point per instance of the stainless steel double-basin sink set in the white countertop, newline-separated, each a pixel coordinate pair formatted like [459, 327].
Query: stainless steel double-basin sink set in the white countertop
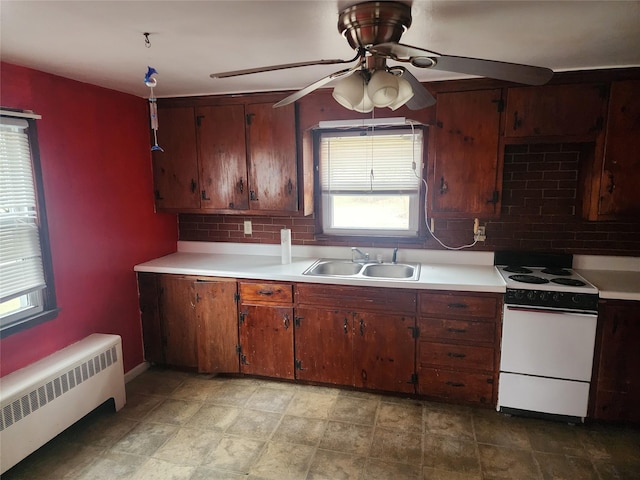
[347, 269]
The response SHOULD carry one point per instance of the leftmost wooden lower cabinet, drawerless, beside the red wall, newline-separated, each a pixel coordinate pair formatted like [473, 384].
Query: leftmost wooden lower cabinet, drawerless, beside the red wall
[189, 322]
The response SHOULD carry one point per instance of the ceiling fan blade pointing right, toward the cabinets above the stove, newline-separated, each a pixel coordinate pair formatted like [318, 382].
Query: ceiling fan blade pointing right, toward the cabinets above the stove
[511, 72]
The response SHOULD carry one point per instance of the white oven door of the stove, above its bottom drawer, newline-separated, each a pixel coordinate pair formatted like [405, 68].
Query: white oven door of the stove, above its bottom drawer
[548, 343]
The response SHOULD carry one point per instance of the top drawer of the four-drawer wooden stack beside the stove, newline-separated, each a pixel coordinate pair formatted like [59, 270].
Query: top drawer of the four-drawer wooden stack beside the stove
[459, 305]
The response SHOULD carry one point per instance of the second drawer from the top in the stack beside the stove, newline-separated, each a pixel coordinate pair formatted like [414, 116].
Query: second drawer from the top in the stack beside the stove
[464, 330]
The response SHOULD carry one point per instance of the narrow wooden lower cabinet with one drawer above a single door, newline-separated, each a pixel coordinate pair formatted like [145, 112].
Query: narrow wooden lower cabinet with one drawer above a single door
[266, 329]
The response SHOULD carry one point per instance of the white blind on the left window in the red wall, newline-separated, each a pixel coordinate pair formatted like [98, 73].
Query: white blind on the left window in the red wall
[21, 268]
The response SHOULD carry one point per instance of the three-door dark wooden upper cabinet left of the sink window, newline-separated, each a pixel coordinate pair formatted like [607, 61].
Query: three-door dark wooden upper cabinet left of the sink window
[228, 155]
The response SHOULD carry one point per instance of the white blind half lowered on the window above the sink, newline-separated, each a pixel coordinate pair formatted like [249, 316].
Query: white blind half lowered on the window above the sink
[378, 162]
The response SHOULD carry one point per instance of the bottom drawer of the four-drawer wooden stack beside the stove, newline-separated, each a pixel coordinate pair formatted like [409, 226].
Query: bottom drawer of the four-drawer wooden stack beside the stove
[459, 386]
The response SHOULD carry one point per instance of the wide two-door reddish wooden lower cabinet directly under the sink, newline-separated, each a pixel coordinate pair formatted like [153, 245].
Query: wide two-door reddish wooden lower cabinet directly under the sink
[368, 342]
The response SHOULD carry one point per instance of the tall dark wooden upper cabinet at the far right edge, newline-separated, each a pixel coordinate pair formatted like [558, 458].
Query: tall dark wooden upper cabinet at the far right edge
[612, 179]
